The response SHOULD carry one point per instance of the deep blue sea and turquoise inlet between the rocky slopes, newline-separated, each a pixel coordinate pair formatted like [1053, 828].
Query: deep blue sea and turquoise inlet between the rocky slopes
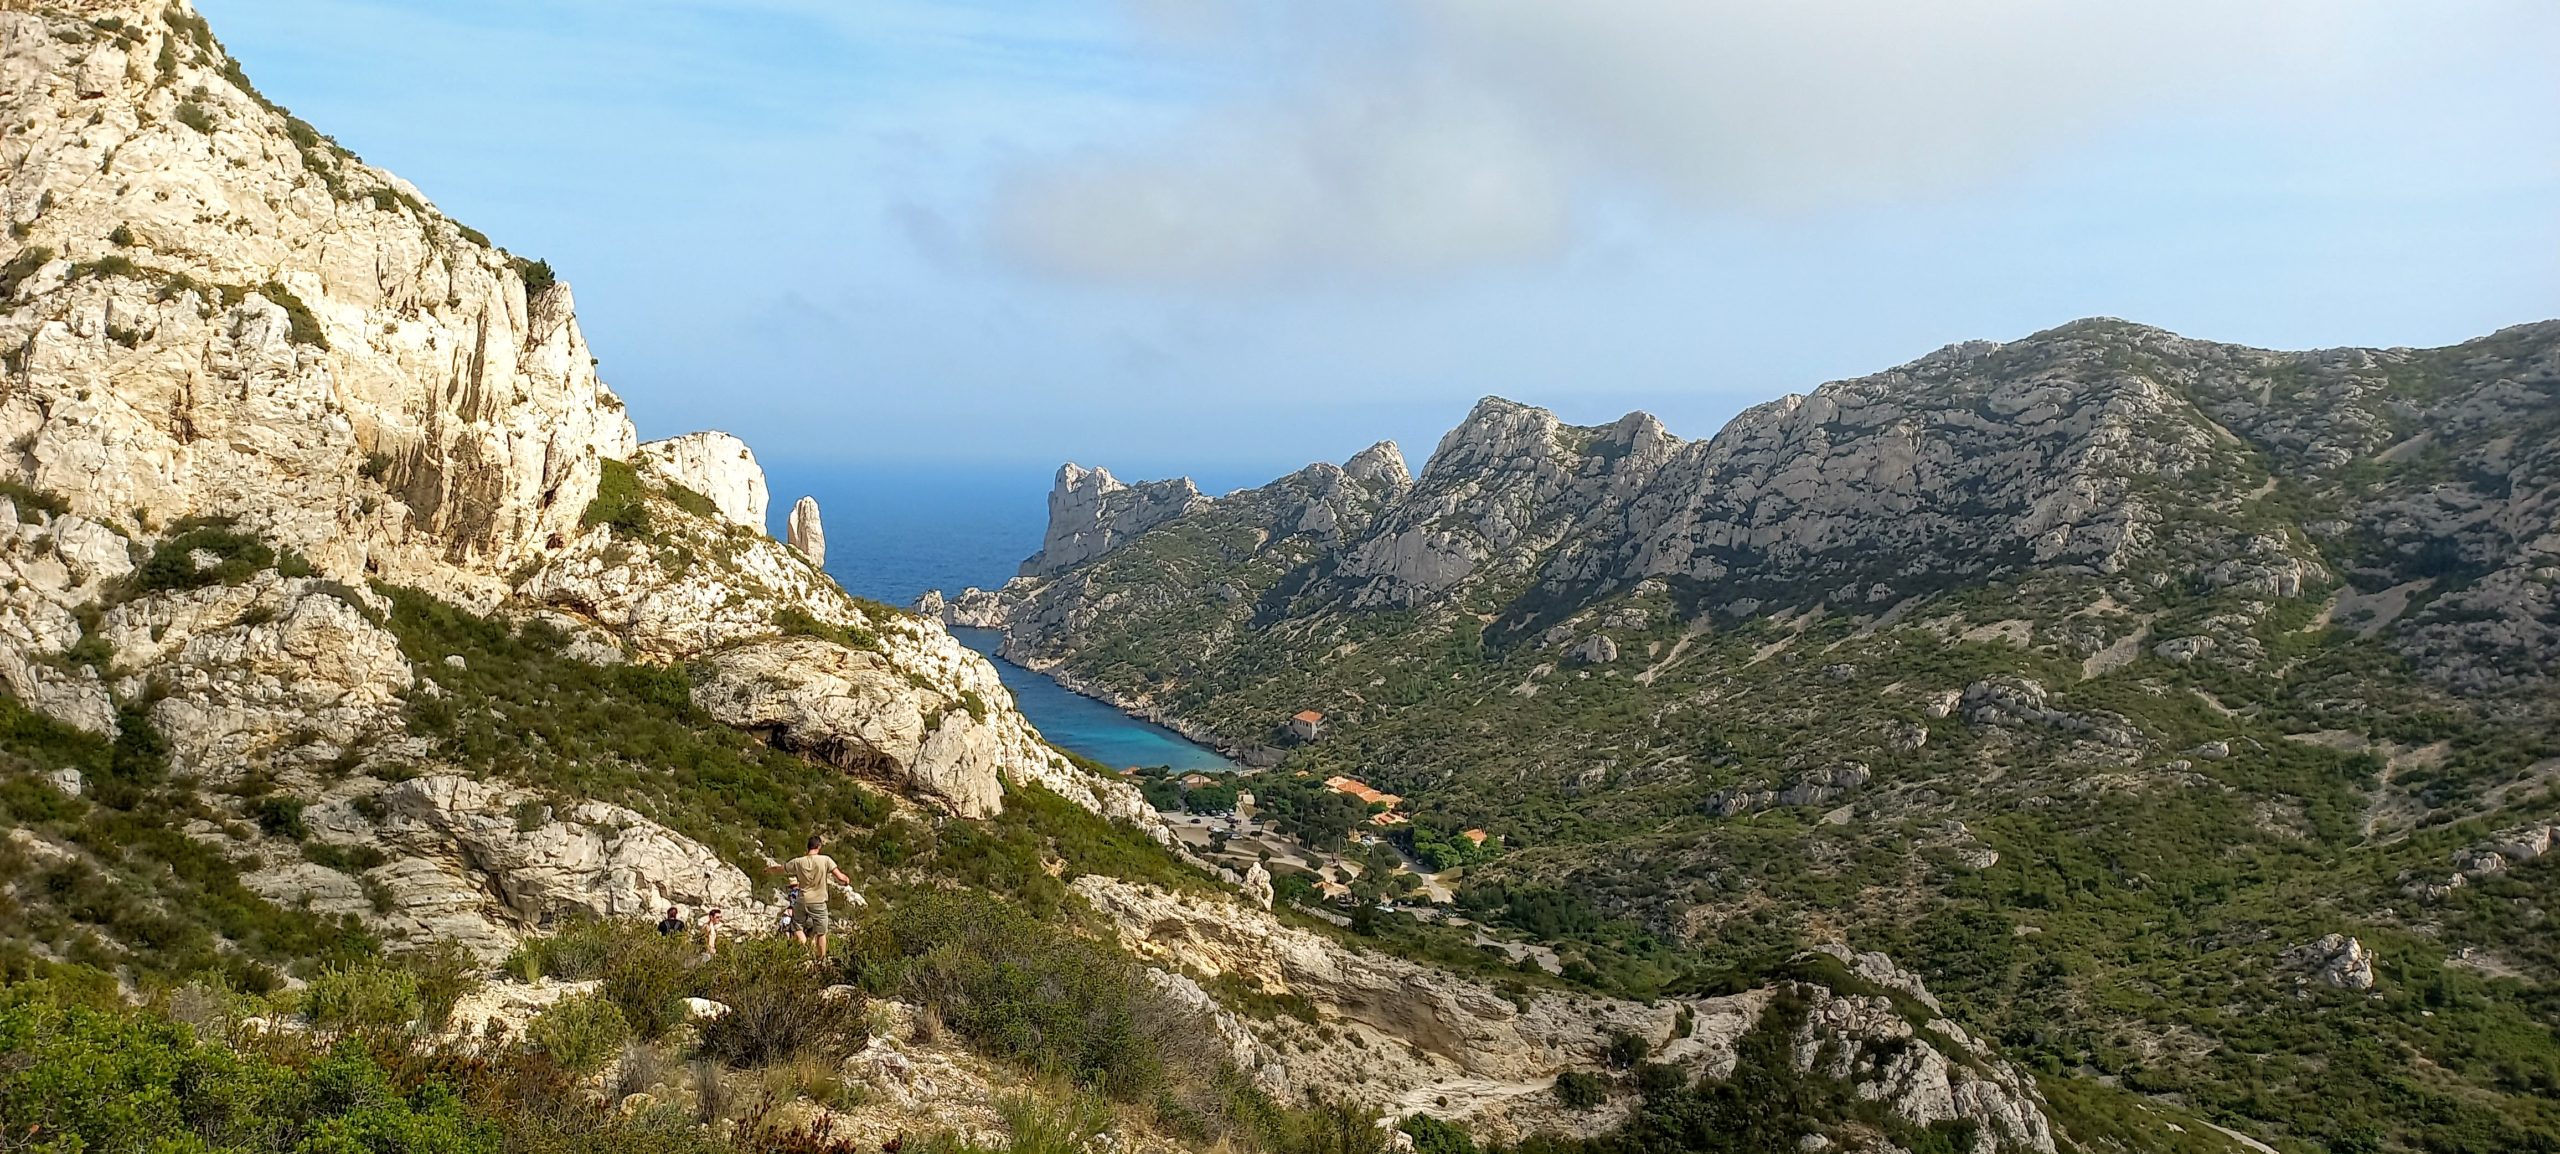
[895, 534]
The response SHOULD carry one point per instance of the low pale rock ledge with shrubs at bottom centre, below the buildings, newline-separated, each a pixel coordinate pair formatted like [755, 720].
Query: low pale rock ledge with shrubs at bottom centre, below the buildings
[1463, 1050]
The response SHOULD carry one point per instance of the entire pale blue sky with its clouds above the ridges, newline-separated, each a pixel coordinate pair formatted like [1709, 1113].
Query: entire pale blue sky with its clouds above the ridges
[1230, 237]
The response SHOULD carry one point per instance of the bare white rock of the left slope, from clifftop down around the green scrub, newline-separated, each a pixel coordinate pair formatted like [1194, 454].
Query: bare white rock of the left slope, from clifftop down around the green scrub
[252, 380]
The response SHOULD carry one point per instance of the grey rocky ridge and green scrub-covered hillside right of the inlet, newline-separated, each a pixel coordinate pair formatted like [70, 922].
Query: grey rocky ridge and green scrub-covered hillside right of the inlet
[2103, 674]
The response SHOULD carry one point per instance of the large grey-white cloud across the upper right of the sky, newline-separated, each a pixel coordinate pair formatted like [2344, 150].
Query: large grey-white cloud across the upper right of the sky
[1417, 137]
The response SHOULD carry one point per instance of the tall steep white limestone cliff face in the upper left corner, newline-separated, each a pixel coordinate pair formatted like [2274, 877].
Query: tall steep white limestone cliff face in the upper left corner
[237, 324]
